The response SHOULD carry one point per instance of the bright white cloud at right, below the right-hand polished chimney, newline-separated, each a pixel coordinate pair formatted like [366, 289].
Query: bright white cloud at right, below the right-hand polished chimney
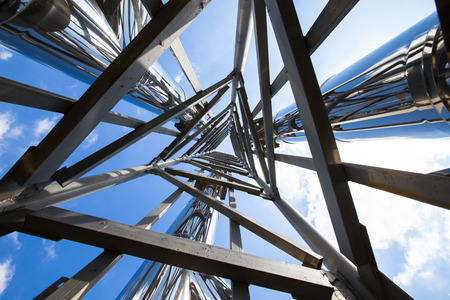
[420, 231]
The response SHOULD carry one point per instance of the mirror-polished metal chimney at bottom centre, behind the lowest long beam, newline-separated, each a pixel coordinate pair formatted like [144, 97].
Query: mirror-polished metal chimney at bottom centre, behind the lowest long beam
[154, 280]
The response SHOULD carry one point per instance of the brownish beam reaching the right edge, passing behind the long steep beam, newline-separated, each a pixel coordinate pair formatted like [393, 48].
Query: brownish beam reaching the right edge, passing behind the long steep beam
[427, 188]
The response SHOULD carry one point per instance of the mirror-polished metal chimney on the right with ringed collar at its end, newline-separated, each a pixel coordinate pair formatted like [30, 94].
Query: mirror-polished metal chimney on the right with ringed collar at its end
[403, 83]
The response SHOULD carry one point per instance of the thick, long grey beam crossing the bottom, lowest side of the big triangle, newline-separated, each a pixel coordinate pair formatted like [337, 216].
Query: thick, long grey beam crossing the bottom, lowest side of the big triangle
[302, 282]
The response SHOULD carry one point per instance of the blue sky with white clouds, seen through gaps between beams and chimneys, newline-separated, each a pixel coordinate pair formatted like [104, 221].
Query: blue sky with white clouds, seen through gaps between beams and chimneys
[411, 240]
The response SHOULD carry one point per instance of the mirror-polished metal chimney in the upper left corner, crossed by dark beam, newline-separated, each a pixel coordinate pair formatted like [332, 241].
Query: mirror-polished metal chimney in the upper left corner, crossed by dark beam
[81, 38]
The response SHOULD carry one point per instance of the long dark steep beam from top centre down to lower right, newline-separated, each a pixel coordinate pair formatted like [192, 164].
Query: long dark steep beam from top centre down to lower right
[352, 237]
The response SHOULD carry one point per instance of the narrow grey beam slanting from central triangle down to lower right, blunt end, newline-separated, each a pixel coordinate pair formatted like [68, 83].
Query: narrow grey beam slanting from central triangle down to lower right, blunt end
[306, 256]
